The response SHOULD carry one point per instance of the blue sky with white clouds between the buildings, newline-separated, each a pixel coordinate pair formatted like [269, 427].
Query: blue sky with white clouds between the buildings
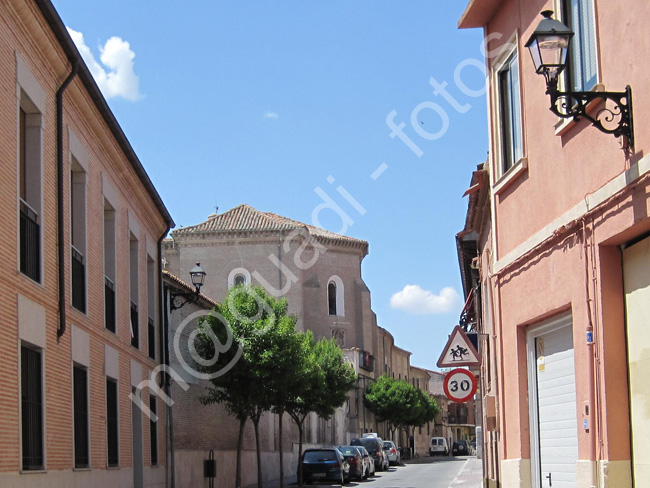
[296, 108]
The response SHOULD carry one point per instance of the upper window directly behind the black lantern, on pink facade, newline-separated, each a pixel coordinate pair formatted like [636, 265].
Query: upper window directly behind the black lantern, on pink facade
[582, 69]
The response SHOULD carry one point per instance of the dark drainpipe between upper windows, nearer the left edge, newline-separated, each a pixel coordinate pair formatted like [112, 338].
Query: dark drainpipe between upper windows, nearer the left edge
[60, 204]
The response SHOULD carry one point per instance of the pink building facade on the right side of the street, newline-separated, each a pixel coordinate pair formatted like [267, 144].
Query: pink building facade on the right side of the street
[559, 215]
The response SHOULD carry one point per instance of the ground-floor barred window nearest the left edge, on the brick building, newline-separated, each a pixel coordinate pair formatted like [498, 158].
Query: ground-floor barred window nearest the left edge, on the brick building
[32, 408]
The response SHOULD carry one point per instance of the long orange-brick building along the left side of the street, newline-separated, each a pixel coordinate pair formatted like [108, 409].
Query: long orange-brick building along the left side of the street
[79, 278]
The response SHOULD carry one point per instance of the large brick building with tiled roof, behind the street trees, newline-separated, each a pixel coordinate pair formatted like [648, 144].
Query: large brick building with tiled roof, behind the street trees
[319, 273]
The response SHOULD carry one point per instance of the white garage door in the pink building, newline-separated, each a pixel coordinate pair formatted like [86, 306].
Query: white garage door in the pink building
[552, 403]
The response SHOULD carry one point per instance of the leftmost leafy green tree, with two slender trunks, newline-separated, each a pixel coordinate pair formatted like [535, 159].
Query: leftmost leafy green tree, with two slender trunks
[243, 374]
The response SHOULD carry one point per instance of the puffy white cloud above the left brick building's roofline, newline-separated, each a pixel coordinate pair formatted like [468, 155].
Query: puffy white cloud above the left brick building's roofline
[114, 76]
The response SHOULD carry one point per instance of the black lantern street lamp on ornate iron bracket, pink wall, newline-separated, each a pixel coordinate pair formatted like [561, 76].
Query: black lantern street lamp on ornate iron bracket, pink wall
[548, 47]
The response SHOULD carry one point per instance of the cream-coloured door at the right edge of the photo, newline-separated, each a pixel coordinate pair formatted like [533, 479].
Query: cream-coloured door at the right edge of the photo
[636, 281]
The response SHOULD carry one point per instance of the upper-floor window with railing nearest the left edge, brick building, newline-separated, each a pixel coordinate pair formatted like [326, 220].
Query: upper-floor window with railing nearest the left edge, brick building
[29, 137]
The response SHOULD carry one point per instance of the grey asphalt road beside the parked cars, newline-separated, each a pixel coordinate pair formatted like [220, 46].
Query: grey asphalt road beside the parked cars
[444, 473]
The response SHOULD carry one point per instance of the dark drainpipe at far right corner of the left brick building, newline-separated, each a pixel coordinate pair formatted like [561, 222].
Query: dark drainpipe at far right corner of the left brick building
[164, 359]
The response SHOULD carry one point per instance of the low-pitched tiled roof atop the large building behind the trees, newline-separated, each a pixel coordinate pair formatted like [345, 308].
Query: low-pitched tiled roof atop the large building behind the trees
[245, 218]
